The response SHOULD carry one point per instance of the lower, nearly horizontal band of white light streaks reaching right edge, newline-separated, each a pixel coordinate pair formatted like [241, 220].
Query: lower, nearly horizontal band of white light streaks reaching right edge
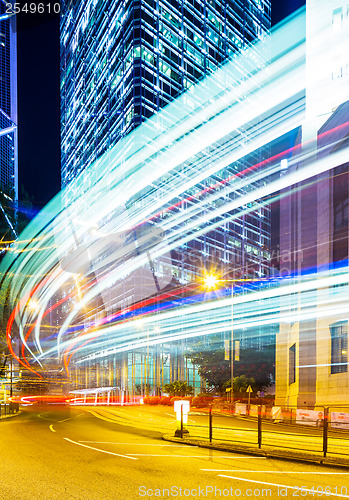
[246, 307]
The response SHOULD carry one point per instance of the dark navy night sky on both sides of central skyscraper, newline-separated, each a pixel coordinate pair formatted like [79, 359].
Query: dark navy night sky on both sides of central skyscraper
[38, 100]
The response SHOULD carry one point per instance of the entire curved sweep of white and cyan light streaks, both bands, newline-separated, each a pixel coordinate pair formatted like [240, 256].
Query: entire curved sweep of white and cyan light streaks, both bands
[214, 127]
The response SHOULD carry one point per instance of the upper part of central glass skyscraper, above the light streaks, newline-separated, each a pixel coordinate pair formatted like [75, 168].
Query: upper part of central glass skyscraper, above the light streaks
[123, 61]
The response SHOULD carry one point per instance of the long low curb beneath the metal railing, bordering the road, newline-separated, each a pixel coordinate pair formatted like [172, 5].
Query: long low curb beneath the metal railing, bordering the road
[265, 452]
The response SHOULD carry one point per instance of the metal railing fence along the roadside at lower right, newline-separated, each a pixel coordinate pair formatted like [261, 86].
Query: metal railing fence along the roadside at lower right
[323, 430]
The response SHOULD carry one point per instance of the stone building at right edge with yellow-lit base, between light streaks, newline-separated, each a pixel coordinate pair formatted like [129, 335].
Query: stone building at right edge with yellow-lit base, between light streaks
[312, 356]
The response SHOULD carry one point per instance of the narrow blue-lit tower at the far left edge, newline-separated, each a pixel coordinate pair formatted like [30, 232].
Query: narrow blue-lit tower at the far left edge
[8, 103]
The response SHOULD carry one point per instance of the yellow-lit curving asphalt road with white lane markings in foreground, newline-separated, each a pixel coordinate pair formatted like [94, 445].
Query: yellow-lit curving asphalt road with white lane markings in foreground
[51, 454]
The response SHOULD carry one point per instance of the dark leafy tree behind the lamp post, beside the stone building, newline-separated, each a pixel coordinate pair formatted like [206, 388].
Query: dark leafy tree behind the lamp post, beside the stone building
[256, 364]
